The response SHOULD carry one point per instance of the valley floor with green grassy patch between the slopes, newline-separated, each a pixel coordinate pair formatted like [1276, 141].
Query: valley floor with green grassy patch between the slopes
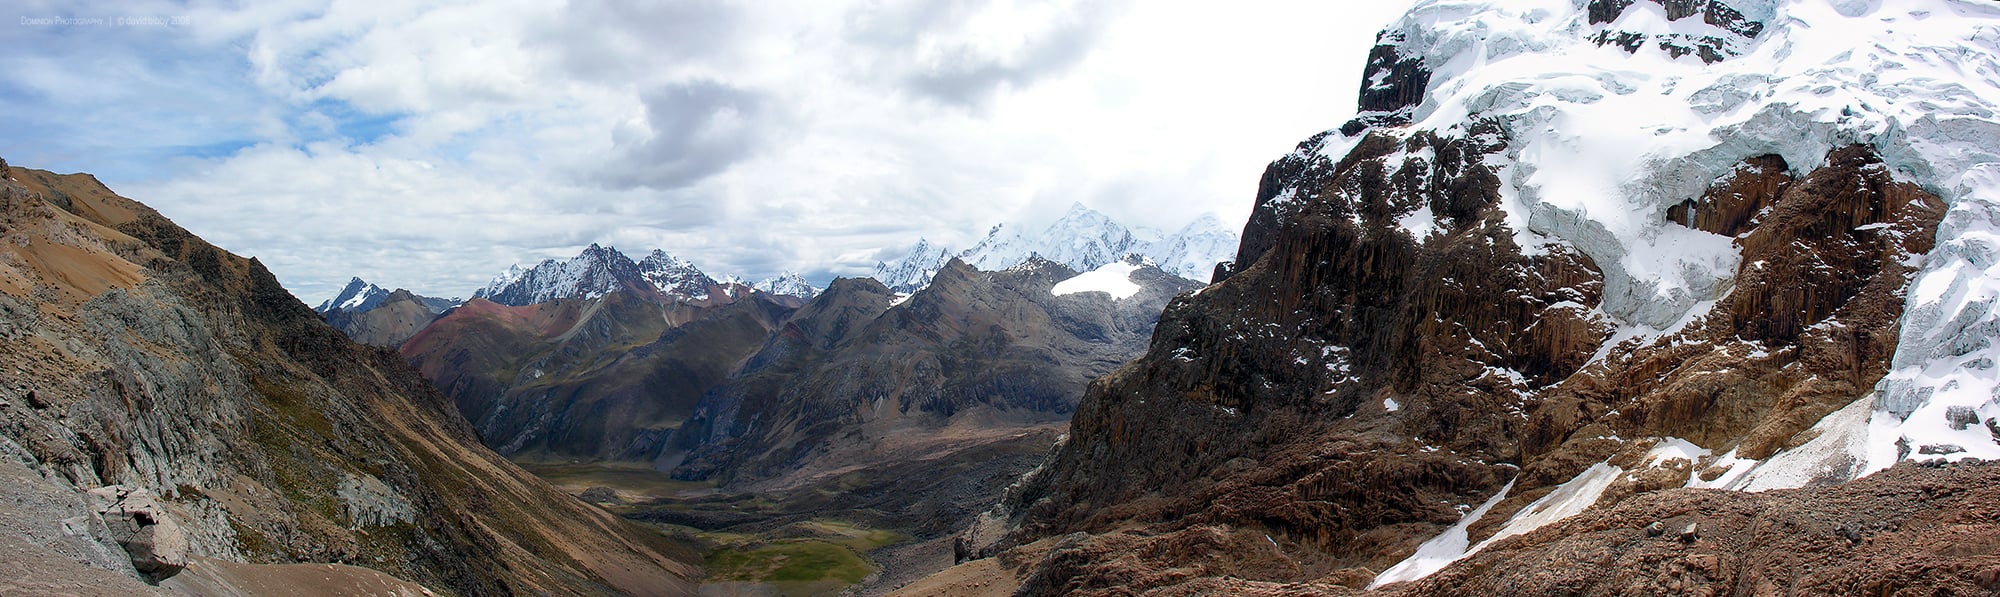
[863, 532]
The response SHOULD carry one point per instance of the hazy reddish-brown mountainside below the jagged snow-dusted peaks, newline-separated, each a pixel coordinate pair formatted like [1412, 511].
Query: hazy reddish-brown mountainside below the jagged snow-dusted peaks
[605, 378]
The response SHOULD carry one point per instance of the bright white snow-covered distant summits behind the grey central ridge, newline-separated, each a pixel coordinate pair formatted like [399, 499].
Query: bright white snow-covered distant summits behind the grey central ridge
[1083, 241]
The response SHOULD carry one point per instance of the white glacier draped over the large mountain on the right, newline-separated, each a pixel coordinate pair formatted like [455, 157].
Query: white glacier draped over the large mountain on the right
[1605, 137]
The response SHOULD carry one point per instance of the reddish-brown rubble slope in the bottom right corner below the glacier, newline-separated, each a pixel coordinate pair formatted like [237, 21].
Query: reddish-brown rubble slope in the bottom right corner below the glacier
[1921, 530]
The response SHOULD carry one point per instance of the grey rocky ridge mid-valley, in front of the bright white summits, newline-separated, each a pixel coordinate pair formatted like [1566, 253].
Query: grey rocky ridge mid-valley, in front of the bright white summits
[857, 380]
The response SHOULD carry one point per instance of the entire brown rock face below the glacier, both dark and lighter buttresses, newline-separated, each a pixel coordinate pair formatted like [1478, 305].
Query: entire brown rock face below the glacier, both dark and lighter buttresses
[1373, 374]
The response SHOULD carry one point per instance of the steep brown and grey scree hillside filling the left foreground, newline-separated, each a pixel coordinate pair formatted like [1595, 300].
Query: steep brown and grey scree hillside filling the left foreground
[169, 414]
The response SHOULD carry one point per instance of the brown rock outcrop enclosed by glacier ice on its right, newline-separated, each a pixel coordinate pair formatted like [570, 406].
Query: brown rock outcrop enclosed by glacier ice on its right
[1807, 330]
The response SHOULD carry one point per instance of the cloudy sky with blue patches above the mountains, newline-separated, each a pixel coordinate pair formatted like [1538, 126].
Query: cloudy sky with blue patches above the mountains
[431, 145]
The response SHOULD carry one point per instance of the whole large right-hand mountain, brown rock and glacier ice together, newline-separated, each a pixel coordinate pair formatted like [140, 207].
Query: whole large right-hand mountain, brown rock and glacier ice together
[1573, 269]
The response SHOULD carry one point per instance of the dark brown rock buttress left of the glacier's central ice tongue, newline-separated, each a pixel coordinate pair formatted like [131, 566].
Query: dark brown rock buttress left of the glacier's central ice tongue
[1265, 402]
